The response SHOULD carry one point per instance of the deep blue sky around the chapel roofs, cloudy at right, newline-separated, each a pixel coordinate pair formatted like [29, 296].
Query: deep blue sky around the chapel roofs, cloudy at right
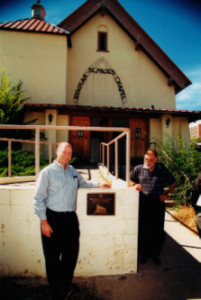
[175, 25]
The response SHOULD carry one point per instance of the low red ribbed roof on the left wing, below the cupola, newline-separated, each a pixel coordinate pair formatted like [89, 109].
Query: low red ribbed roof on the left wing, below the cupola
[32, 25]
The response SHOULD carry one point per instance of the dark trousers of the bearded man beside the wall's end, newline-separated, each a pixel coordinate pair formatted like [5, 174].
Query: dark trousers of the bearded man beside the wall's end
[151, 226]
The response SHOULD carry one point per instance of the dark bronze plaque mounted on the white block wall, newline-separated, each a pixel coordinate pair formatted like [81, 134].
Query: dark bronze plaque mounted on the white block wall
[101, 204]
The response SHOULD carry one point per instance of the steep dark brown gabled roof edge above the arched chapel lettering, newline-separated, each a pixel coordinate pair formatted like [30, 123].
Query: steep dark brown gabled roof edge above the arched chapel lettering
[91, 7]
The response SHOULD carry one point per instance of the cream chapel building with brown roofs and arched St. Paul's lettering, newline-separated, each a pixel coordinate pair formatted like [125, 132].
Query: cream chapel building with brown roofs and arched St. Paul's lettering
[98, 67]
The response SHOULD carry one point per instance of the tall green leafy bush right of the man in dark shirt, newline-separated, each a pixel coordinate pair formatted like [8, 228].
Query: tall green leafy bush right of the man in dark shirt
[184, 161]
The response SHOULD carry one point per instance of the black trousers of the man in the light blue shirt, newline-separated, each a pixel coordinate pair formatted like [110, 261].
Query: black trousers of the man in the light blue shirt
[61, 249]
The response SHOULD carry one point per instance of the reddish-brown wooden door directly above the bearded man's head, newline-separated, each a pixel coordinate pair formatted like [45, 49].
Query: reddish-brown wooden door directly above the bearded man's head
[138, 137]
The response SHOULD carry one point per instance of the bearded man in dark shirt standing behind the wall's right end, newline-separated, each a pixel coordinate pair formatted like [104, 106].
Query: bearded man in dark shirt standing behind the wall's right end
[150, 179]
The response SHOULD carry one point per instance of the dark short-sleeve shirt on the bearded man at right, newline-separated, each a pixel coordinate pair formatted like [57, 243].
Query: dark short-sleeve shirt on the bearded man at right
[153, 183]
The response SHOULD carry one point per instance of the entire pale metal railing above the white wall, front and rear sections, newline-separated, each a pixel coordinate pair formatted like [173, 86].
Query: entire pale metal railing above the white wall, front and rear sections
[37, 142]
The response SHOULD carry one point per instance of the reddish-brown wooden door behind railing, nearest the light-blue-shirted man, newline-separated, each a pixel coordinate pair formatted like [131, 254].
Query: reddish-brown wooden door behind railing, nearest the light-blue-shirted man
[80, 140]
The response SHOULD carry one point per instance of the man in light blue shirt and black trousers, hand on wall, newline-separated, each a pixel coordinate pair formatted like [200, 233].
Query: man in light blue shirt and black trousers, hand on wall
[55, 204]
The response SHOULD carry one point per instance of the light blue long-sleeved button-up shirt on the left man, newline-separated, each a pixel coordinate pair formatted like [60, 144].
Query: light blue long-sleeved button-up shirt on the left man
[56, 189]
